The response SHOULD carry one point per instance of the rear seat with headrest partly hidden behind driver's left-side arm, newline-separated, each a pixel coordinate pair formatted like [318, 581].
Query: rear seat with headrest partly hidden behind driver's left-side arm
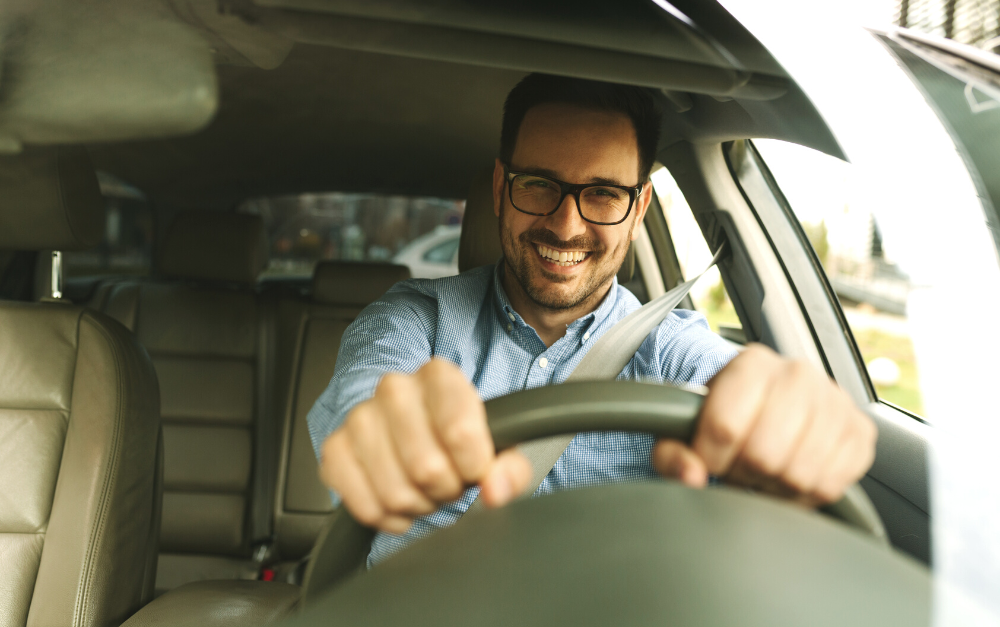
[339, 292]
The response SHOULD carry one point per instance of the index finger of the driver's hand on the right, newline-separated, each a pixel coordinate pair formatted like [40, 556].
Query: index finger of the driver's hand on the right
[732, 407]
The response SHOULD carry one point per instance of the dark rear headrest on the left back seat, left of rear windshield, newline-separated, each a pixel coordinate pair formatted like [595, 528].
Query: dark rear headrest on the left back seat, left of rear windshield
[215, 246]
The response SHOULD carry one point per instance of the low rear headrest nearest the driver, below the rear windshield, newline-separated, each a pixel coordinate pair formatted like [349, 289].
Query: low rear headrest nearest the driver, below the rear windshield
[353, 283]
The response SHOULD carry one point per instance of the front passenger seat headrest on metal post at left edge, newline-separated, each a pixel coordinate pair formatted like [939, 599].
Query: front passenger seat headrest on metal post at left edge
[50, 200]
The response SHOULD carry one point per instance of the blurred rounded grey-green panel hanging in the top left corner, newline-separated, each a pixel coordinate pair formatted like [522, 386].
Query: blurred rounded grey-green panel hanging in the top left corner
[98, 71]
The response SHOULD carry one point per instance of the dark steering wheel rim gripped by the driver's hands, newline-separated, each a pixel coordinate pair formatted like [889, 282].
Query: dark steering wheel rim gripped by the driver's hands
[664, 411]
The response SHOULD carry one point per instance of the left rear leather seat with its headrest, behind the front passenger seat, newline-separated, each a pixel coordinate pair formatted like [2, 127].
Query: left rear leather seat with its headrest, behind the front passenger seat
[211, 340]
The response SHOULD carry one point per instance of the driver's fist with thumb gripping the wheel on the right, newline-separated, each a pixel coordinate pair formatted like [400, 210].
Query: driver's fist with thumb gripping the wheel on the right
[774, 425]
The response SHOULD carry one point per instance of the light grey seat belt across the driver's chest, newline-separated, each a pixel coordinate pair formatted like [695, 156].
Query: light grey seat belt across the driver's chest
[605, 360]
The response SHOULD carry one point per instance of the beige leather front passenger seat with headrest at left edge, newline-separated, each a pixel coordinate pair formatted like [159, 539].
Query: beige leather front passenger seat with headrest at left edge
[79, 423]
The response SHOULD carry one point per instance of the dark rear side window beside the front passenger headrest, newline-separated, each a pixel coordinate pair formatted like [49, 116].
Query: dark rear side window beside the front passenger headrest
[128, 235]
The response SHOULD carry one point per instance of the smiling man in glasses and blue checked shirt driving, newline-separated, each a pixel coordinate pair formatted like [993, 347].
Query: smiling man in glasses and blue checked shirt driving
[401, 430]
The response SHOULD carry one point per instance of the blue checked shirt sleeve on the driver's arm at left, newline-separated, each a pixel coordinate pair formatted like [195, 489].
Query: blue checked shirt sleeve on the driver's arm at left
[390, 335]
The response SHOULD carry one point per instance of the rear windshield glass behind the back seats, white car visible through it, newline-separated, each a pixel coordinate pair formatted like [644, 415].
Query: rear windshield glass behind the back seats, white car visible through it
[307, 228]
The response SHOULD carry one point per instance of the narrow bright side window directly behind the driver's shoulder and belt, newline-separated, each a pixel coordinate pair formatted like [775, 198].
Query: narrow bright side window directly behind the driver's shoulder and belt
[709, 294]
